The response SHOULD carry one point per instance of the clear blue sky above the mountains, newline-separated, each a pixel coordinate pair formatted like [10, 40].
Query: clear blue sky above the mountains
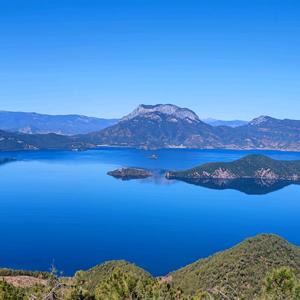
[229, 59]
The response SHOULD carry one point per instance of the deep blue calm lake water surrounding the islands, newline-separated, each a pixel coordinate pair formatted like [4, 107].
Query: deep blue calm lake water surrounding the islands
[61, 207]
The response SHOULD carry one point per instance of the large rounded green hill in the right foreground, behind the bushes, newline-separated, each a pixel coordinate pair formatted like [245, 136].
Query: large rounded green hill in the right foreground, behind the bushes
[240, 269]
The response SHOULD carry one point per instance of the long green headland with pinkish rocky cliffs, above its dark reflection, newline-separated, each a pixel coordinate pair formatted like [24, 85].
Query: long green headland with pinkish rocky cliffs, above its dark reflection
[248, 167]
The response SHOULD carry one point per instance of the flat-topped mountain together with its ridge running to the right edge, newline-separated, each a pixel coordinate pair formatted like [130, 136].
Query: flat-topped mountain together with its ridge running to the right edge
[167, 126]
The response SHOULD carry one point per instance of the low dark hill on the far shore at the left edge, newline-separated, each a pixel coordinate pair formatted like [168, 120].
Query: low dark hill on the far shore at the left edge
[12, 141]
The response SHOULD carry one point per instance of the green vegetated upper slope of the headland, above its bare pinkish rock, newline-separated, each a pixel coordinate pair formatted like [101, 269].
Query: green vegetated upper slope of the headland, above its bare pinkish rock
[247, 166]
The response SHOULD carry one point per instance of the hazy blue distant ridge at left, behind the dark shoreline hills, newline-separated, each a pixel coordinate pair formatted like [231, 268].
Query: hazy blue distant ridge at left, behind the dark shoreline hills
[33, 123]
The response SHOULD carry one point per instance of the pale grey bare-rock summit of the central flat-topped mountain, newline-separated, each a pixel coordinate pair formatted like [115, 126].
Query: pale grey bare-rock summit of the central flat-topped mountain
[166, 109]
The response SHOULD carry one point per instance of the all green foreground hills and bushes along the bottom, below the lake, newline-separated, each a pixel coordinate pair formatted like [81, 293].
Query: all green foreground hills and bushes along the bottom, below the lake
[265, 267]
